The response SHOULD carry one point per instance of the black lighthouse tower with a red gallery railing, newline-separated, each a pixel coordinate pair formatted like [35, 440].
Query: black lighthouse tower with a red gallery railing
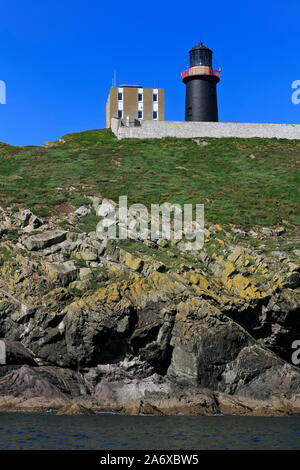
[201, 86]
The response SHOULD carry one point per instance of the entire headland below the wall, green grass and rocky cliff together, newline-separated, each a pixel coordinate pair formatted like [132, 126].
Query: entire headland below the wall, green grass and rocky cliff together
[108, 322]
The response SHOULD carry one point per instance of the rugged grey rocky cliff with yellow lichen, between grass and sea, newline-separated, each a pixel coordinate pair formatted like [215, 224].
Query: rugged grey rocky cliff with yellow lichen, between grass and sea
[144, 326]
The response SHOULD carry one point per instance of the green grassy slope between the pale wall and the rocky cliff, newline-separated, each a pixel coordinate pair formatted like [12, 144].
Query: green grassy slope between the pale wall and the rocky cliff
[234, 187]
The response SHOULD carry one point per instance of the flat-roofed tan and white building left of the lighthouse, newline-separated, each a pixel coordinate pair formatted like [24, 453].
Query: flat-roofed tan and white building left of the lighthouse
[133, 102]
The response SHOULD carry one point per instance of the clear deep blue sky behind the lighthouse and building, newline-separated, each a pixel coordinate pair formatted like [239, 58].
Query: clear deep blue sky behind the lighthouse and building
[58, 58]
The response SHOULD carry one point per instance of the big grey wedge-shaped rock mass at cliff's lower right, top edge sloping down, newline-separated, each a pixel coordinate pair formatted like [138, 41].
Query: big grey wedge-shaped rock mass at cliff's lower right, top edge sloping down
[213, 352]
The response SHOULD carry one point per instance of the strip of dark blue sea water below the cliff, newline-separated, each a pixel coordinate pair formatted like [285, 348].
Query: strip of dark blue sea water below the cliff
[112, 431]
